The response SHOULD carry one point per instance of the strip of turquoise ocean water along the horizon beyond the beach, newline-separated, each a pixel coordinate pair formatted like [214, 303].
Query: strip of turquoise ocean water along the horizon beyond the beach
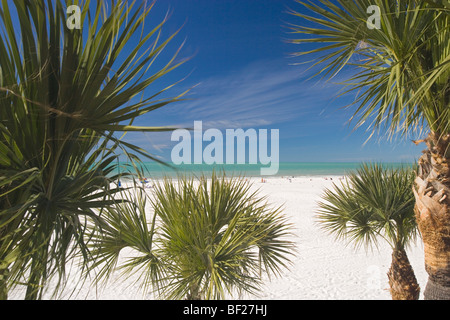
[154, 170]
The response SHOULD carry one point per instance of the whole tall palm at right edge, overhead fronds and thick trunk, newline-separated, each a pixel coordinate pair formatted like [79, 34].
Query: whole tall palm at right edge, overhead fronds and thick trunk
[402, 80]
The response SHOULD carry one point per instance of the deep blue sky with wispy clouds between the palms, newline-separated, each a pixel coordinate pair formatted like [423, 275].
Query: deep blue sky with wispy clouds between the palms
[242, 76]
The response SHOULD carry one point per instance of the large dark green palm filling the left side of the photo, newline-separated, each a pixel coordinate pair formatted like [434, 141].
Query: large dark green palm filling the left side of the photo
[66, 98]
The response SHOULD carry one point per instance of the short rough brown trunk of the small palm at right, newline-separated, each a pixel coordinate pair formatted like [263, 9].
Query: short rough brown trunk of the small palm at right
[401, 276]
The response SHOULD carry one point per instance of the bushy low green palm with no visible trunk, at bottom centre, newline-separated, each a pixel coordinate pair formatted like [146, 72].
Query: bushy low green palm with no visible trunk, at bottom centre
[217, 236]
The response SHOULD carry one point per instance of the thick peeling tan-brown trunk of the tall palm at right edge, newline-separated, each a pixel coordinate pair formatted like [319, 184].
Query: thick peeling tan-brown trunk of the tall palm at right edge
[432, 193]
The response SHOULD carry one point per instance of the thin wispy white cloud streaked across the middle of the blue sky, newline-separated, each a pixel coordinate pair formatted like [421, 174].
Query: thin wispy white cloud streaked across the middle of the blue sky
[262, 94]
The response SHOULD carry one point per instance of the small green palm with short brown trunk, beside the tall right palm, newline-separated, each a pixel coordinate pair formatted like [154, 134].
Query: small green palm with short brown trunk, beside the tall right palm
[376, 203]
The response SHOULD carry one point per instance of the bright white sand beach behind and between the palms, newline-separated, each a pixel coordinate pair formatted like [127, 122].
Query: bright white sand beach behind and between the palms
[322, 269]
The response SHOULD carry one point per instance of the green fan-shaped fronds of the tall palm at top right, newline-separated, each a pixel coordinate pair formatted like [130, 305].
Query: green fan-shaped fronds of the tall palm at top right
[401, 71]
